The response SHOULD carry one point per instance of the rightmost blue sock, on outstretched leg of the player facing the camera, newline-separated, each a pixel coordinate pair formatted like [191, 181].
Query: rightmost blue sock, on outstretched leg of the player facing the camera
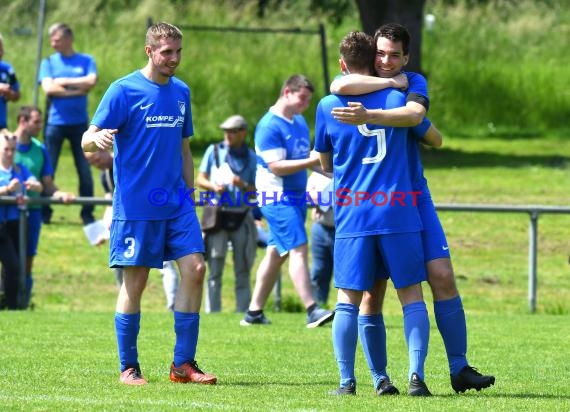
[450, 319]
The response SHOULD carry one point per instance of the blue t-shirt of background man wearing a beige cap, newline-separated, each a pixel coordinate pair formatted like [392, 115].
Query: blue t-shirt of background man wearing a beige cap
[243, 167]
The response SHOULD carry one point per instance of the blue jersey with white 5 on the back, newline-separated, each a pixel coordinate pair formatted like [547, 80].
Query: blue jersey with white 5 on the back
[372, 184]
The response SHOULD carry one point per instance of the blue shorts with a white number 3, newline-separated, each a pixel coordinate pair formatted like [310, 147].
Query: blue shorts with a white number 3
[149, 243]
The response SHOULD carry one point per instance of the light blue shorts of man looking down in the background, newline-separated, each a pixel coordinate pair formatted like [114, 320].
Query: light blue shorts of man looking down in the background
[286, 224]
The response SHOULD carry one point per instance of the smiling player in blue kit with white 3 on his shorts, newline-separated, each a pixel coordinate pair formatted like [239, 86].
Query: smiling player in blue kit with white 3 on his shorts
[146, 118]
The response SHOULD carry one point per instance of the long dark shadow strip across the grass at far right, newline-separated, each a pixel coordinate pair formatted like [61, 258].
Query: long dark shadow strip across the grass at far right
[447, 158]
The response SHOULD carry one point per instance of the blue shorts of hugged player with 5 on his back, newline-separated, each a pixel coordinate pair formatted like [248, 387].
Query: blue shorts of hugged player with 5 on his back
[360, 261]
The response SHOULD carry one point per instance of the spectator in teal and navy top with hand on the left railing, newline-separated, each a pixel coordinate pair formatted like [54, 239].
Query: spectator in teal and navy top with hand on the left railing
[31, 153]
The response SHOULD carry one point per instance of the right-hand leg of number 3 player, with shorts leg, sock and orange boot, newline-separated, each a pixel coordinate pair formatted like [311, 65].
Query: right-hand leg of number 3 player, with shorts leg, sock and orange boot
[184, 244]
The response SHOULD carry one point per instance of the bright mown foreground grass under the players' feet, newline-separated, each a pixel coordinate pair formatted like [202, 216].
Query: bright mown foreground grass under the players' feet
[67, 361]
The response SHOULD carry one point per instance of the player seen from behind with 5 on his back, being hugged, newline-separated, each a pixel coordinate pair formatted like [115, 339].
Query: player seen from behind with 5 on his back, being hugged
[377, 222]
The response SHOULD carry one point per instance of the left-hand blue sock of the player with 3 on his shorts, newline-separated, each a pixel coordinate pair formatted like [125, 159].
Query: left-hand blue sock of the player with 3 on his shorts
[127, 330]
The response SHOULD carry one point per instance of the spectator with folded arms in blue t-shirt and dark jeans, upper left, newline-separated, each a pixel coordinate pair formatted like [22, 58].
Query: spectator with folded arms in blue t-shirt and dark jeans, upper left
[66, 78]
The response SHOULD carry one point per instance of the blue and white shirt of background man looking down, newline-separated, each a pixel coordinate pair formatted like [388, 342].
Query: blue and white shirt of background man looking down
[278, 138]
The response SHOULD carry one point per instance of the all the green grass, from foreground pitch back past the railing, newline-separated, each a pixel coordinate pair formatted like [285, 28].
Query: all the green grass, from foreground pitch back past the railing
[68, 339]
